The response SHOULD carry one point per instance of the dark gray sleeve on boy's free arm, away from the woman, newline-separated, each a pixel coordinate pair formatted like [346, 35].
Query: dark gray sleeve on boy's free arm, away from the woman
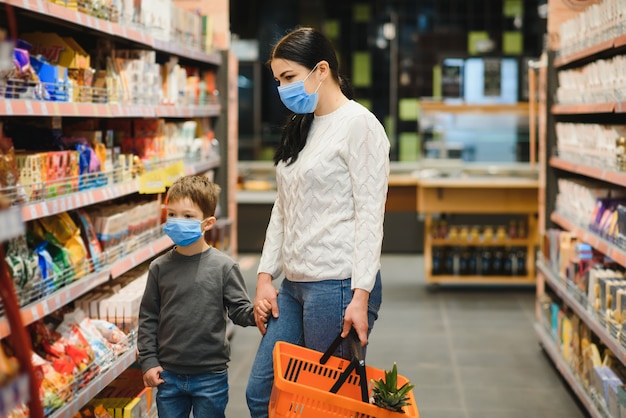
[149, 323]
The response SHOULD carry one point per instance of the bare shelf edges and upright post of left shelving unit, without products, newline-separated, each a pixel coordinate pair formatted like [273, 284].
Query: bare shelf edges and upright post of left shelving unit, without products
[12, 220]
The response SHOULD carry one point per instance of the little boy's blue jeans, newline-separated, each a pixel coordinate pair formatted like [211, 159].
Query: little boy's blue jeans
[204, 394]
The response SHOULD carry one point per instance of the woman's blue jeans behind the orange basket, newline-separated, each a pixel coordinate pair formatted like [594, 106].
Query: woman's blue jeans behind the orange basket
[310, 314]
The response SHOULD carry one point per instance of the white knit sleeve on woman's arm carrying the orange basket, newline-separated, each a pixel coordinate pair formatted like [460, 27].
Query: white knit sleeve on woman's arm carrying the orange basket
[367, 157]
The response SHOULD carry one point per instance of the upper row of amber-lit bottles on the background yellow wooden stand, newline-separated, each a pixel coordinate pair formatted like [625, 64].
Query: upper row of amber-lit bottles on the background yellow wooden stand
[515, 230]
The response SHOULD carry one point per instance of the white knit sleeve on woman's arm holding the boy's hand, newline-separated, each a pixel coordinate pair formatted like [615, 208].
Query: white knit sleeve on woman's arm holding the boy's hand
[271, 257]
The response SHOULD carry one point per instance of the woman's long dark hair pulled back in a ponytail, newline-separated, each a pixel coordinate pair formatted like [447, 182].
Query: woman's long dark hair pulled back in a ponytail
[307, 47]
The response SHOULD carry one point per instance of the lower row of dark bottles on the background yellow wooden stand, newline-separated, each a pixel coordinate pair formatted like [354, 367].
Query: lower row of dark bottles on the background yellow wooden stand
[477, 261]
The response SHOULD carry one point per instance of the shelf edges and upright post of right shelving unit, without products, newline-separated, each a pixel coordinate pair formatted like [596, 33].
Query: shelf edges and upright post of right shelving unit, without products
[554, 168]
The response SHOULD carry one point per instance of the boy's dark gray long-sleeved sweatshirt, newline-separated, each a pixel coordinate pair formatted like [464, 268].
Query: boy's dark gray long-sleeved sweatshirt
[182, 318]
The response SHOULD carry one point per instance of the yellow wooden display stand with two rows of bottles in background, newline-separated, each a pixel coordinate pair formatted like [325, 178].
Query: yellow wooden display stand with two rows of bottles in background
[492, 248]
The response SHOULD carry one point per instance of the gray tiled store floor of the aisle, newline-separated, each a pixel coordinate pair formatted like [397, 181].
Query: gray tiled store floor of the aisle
[471, 352]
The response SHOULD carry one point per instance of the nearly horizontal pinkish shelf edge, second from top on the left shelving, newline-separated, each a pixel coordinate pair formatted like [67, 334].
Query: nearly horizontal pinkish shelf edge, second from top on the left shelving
[19, 107]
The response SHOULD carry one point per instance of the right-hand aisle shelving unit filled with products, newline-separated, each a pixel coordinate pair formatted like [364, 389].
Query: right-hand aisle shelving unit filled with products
[580, 138]
